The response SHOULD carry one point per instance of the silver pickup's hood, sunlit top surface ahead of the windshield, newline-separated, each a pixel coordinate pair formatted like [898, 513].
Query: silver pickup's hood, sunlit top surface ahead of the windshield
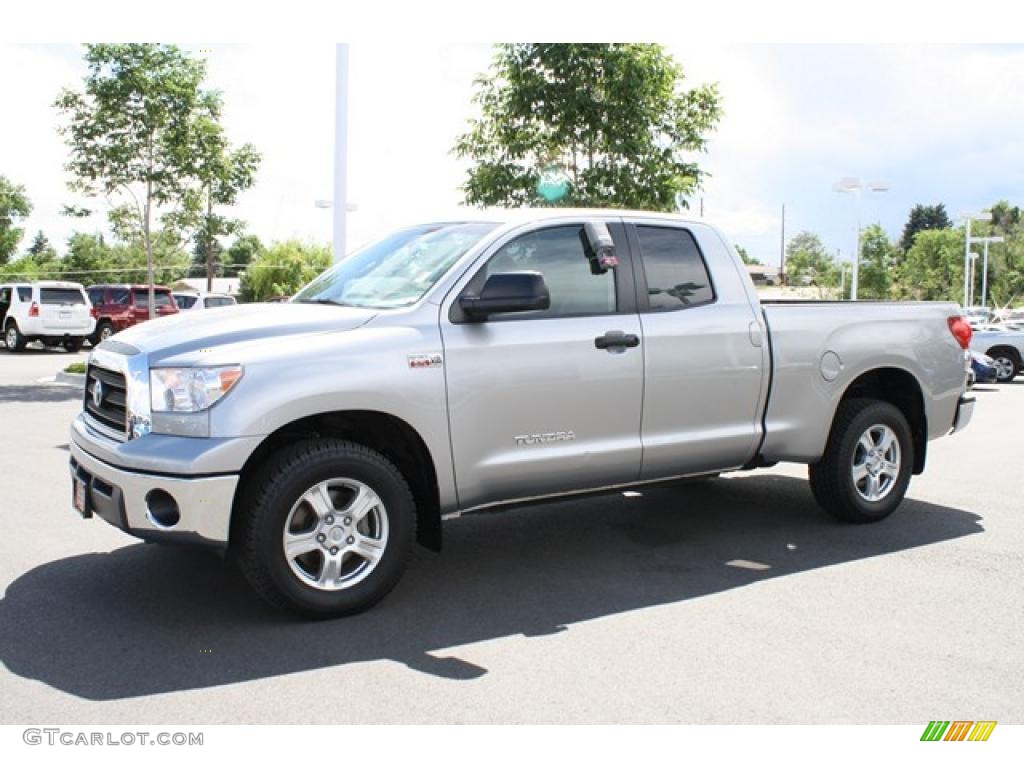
[221, 327]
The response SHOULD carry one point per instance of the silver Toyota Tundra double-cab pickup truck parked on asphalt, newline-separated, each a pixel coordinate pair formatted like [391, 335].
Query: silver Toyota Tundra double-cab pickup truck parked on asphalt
[459, 366]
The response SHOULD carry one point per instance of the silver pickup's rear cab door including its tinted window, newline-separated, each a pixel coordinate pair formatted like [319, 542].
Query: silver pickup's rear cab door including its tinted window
[705, 361]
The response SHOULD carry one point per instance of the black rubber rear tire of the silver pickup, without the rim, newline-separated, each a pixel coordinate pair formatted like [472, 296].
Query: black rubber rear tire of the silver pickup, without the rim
[832, 478]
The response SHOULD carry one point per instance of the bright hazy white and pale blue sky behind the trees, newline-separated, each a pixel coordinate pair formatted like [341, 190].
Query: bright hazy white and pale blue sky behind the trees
[938, 123]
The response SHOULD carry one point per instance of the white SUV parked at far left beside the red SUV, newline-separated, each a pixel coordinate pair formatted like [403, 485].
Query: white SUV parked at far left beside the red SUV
[56, 314]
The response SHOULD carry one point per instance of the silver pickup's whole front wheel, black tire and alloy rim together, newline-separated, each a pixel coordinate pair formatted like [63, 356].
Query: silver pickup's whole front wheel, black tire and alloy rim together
[327, 531]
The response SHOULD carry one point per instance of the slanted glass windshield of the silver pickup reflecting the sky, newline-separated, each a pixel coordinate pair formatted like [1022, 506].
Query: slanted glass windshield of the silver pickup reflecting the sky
[398, 271]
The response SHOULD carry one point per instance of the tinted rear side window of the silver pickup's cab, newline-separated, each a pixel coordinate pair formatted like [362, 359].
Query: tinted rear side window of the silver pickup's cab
[677, 277]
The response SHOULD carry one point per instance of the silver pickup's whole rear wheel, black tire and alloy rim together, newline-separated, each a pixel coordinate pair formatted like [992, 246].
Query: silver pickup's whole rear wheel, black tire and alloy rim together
[867, 467]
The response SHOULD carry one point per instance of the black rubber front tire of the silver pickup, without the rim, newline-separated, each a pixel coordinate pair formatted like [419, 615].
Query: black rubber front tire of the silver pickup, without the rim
[258, 536]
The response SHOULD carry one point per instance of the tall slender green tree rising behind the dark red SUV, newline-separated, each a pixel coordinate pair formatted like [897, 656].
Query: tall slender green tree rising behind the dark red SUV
[130, 132]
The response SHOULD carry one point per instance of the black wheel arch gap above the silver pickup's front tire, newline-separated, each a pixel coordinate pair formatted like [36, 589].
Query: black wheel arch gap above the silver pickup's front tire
[388, 435]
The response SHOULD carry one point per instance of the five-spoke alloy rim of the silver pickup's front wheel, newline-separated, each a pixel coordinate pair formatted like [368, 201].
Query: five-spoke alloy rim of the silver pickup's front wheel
[335, 534]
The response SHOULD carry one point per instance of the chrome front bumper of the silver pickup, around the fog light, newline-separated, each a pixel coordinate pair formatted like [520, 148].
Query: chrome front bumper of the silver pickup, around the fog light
[123, 499]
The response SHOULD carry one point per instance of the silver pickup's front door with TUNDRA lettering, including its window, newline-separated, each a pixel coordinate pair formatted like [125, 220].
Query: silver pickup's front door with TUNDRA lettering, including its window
[537, 405]
